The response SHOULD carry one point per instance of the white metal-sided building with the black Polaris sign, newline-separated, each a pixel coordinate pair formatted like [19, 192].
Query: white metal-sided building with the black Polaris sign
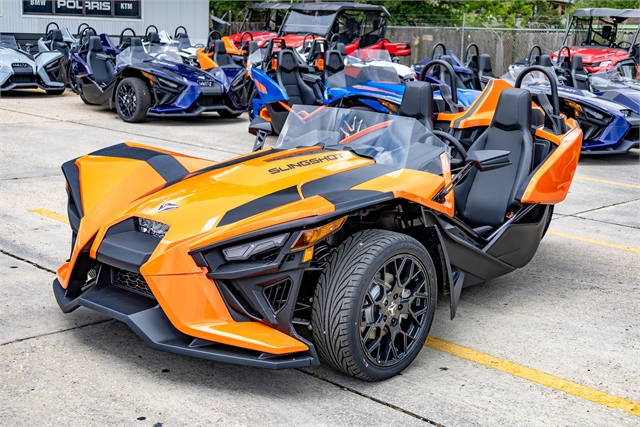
[28, 19]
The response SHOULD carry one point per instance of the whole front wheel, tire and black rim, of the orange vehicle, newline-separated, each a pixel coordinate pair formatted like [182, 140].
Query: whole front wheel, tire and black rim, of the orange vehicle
[374, 304]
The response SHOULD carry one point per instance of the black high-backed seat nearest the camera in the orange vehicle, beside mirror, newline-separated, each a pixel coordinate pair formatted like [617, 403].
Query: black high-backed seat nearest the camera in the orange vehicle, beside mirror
[484, 199]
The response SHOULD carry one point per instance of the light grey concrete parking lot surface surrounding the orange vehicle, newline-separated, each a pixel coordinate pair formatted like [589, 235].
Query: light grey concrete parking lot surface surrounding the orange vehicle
[555, 343]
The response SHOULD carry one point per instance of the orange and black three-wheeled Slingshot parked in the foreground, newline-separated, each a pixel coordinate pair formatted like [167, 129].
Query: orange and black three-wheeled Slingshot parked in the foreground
[333, 245]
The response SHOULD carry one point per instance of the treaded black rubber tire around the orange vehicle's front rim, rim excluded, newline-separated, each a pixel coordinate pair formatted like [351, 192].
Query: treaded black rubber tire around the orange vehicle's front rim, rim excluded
[340, 295]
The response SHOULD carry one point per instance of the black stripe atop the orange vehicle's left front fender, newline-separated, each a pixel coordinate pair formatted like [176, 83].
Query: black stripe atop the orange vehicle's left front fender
[166, 165]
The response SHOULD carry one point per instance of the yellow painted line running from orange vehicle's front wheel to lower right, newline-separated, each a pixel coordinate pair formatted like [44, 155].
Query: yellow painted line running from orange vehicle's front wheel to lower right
[547, 380]
